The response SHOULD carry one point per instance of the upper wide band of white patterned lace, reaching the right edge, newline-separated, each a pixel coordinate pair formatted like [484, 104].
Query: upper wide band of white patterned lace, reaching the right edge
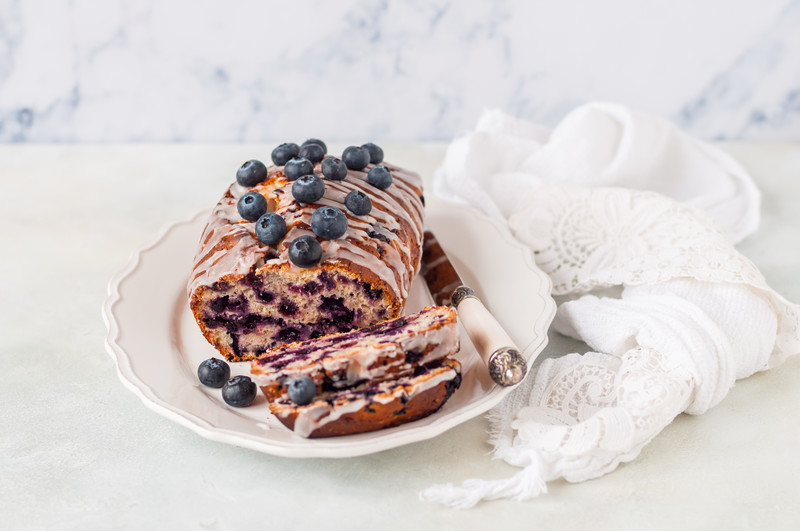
[591, 238]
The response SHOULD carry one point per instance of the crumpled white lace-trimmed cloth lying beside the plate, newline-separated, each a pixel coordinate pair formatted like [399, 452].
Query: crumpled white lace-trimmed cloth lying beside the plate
[675, 313]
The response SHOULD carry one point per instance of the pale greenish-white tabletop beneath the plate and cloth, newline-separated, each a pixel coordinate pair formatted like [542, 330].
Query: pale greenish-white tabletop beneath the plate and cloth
[79, 451]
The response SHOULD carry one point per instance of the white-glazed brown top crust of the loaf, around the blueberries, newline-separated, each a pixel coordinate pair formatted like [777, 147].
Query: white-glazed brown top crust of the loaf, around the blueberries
[400, 200]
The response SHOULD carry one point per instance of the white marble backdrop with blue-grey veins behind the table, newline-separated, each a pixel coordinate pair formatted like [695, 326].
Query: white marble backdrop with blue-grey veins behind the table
[183, 70]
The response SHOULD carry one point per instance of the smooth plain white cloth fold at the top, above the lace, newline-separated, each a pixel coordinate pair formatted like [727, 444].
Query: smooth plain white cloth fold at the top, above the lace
[495, 167]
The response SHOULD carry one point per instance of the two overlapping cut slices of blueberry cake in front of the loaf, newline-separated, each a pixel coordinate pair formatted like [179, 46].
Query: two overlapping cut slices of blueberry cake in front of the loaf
[363, 380]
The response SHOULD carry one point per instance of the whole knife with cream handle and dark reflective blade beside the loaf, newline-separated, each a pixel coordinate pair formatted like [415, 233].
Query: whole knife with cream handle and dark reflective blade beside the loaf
[506, 365]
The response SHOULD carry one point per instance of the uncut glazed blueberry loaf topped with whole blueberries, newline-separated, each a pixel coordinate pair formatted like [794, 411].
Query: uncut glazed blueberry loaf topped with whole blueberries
[309, 246]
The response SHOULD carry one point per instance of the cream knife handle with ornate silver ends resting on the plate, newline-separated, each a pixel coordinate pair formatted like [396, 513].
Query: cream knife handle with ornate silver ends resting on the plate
[506, 364]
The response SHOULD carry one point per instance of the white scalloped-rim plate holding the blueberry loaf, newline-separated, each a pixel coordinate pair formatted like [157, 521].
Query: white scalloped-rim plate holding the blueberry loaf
[157, 345]
